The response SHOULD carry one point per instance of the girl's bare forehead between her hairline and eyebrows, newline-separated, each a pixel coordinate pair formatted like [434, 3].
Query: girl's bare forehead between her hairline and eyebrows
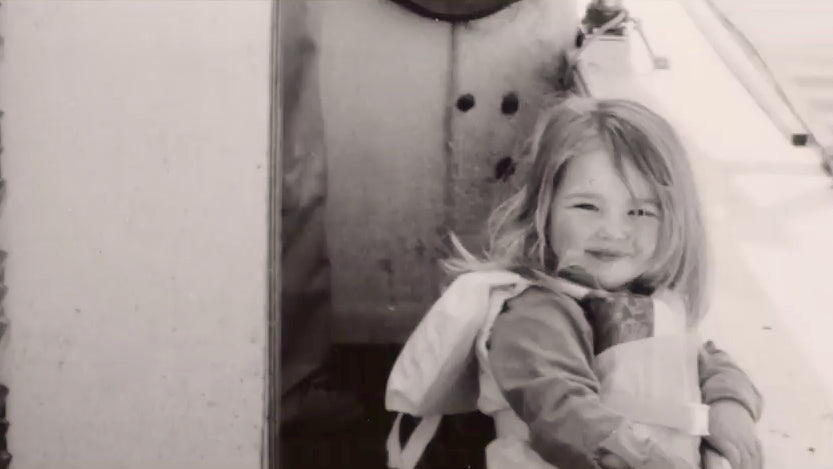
[595, 172]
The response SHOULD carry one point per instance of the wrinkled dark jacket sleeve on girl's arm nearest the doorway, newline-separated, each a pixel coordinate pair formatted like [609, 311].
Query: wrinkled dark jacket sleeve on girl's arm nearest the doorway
[541, 353]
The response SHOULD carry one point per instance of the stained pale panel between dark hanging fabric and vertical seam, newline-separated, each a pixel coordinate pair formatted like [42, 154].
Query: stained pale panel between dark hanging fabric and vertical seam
[384, 74]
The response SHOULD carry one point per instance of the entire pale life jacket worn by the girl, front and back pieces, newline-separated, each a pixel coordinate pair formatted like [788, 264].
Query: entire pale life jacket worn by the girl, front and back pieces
[443, 369]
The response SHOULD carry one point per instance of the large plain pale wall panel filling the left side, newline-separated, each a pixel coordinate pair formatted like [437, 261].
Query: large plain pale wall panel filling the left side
[135, 137]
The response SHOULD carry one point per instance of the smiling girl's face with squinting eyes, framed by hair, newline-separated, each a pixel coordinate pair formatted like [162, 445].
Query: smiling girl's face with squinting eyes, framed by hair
[596, 223]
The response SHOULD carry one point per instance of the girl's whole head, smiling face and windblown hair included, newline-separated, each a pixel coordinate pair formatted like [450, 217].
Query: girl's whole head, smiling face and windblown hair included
[609, 201]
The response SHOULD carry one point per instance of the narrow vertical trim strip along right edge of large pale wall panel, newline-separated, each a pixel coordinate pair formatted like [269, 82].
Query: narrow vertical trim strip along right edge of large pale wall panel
[270, 449]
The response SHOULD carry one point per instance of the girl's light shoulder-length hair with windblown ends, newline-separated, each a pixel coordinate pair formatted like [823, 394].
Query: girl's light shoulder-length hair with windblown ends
[518, 228]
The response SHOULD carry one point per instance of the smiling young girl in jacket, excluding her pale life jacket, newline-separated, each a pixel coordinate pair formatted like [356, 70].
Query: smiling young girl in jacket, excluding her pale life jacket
[609, 208]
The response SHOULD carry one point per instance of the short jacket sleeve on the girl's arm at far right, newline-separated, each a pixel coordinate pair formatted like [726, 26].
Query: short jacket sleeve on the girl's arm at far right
[721, 378]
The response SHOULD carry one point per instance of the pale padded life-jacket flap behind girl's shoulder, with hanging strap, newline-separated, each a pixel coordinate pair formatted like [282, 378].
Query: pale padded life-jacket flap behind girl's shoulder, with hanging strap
[438, 372]
